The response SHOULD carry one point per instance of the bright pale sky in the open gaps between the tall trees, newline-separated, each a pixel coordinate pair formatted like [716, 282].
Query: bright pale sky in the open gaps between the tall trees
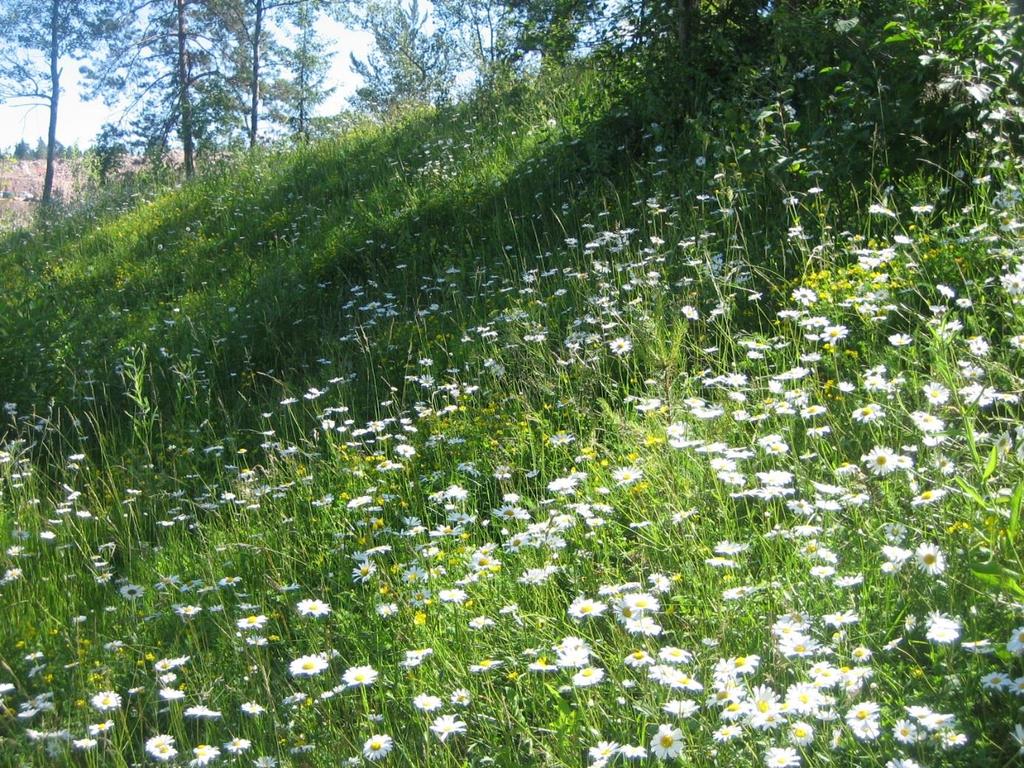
[79, 121]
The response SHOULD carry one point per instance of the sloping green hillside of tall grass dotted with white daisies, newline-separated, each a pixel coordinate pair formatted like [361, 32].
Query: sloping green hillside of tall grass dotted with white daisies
[572, 425]
